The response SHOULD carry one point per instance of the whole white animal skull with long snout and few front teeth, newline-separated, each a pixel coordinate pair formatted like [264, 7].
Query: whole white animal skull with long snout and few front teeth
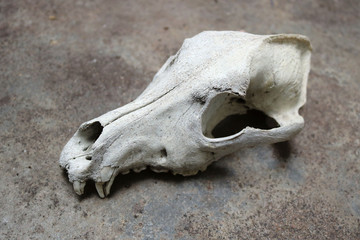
[197, 109]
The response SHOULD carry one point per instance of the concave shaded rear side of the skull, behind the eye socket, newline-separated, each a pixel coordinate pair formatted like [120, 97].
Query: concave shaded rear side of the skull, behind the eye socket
[278, 75]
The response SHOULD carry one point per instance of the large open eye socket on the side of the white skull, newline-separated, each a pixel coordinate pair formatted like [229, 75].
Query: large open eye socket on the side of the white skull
[228, 114]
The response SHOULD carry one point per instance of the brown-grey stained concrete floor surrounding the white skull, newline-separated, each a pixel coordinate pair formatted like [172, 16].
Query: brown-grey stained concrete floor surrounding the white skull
[65, 62]
